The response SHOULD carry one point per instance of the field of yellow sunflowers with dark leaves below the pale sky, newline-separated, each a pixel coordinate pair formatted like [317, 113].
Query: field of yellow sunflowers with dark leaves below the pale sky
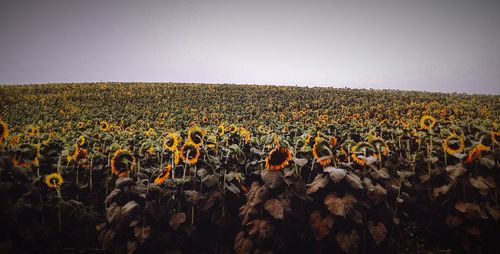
[202, 168]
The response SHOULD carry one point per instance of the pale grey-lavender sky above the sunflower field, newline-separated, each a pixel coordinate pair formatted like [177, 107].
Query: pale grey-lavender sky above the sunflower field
[433, 45]
